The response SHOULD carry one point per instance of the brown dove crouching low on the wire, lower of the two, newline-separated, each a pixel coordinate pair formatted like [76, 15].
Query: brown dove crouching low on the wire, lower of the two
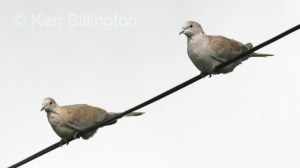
[68, 120]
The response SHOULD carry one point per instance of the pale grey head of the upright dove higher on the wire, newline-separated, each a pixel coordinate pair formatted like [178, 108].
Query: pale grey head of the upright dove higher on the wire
[191, 28]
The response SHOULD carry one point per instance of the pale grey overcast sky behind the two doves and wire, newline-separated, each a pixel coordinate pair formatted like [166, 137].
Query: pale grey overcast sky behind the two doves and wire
[117, 54]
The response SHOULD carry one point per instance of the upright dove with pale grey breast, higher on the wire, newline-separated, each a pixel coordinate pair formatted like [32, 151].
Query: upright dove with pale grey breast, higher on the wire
[207, 51]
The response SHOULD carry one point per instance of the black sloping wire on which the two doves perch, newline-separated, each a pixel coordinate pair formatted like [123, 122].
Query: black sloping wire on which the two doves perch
[156, 98]
